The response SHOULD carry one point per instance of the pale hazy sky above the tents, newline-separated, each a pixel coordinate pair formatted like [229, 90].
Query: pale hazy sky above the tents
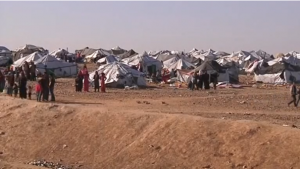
[143, 26]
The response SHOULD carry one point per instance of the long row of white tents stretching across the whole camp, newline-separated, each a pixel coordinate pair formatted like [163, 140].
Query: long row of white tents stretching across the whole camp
[117, 62]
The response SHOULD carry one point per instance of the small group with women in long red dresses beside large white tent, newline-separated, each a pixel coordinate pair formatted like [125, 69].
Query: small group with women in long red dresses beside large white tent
[82, 81]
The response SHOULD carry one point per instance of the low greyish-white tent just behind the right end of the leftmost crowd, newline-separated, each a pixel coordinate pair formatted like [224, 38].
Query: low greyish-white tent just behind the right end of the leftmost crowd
[58, 67]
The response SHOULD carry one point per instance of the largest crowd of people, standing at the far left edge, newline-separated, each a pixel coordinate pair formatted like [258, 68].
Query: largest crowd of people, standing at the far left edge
[14, 82]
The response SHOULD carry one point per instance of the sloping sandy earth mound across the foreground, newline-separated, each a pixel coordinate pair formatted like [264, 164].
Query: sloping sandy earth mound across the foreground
[94, 137]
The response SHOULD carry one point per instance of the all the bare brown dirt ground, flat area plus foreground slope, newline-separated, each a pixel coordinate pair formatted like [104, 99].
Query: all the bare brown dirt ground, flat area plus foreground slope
[158, 127]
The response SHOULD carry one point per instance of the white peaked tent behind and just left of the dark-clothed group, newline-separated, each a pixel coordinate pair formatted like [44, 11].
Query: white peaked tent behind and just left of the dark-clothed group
[177, 63]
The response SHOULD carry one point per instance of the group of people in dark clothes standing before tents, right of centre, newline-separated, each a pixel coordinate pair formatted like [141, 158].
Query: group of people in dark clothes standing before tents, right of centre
[202, 80]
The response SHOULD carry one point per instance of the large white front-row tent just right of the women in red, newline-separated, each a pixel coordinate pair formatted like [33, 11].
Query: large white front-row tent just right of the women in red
[120, 75]
